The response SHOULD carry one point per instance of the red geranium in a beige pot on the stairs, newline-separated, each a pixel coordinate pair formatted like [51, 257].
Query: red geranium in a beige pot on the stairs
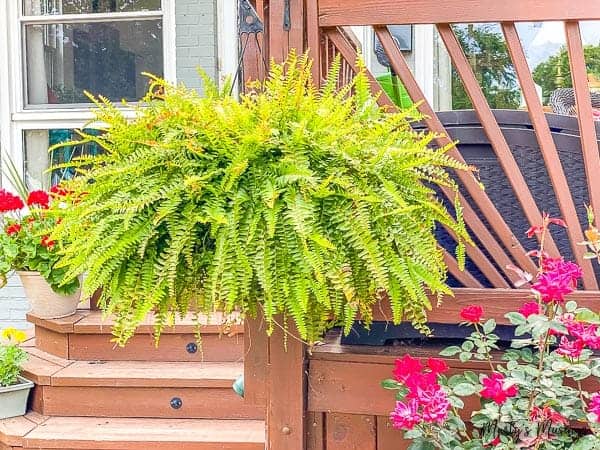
[26, 248]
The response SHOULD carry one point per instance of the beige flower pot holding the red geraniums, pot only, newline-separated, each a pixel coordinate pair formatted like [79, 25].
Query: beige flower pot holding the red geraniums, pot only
[45, 303]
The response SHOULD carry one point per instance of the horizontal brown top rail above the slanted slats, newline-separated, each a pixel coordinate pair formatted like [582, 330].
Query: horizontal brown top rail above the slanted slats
[334, 13]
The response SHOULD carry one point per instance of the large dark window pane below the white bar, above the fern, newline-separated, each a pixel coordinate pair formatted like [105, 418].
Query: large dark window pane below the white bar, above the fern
[104, 58]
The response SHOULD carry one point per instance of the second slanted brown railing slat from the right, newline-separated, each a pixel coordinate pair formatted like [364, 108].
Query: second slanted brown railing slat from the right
[549, 152]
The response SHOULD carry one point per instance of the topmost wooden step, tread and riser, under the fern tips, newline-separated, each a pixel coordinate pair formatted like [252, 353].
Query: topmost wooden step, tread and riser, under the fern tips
[87, 336]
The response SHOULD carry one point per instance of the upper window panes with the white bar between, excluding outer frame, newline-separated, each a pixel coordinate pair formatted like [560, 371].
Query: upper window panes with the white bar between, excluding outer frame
[99, 46]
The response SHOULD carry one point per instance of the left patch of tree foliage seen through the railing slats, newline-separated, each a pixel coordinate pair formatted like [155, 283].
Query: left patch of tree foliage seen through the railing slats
[486, 50]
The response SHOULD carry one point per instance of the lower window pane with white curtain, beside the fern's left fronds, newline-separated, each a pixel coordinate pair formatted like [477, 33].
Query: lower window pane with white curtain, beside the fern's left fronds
[38, 160]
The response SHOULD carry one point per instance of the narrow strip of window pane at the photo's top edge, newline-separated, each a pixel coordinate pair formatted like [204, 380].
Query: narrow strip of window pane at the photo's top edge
[47, 7]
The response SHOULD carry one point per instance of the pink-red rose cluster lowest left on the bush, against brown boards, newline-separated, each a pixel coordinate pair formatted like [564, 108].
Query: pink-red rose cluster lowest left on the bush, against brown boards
[425, 400]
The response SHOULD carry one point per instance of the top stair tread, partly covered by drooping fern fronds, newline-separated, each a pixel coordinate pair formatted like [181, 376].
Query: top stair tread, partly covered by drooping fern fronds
[93, 322]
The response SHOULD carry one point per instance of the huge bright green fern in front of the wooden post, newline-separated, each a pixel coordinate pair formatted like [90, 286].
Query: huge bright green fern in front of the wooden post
[309, 203]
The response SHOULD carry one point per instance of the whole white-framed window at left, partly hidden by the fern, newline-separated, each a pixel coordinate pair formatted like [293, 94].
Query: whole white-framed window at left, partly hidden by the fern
[53, 51]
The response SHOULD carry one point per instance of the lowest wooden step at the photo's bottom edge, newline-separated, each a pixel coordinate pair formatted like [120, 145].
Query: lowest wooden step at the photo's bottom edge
[92, 433]
